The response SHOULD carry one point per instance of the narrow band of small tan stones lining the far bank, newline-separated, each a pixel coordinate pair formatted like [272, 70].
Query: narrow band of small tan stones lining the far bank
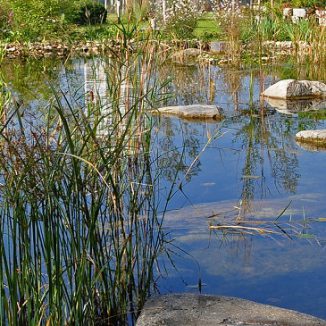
[62, 49]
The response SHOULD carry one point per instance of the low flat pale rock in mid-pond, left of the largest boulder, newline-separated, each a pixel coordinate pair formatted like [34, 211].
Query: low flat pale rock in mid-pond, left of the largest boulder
[195, 111]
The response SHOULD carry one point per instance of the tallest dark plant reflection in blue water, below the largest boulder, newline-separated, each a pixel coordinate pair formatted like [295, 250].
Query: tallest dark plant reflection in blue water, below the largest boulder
[267, 146]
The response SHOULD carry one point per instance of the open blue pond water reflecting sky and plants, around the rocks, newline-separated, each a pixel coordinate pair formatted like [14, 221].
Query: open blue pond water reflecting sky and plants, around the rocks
[246, 172]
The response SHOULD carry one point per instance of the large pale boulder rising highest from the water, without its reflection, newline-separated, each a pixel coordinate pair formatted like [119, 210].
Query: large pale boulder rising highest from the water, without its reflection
[296, 89]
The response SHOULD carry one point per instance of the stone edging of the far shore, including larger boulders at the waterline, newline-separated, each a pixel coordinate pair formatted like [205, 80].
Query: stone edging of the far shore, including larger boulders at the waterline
[212, 52]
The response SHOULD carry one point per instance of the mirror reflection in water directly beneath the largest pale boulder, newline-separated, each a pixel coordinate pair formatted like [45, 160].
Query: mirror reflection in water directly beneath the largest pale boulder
[296, 106]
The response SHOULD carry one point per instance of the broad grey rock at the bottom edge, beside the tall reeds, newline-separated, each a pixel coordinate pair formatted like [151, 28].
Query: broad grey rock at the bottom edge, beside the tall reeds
[191, 309]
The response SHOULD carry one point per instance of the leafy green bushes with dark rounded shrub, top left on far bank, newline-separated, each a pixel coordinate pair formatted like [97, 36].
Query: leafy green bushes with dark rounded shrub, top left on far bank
[35, 20]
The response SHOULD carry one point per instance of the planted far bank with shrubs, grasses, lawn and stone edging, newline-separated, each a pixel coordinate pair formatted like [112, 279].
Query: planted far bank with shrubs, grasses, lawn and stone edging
[62, 30]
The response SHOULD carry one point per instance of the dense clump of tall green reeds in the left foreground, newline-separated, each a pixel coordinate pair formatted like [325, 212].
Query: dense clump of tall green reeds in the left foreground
[80, 231]
